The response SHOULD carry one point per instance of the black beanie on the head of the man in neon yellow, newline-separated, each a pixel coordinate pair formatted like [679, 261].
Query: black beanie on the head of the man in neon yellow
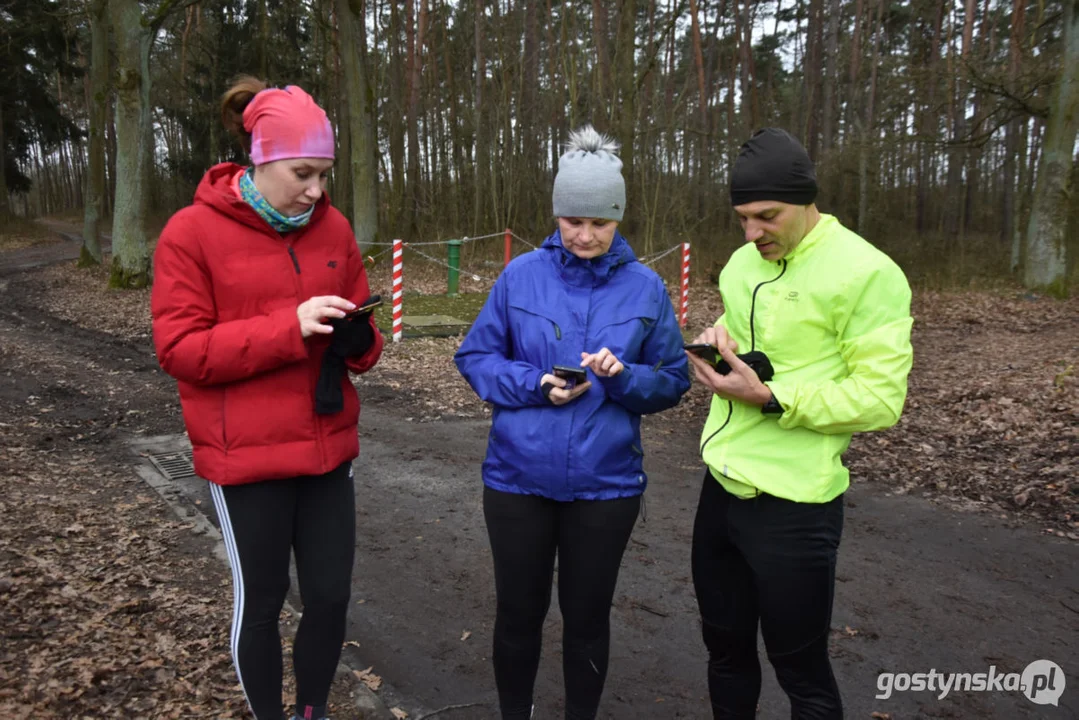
[773, 166]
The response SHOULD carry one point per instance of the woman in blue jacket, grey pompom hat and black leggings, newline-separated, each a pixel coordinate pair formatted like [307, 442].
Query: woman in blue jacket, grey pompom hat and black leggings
[564, 472]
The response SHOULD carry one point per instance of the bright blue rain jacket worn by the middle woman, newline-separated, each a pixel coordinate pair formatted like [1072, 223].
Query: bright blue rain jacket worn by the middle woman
[548, 308]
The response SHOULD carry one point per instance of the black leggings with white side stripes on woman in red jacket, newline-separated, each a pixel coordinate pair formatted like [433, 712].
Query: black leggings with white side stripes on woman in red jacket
[262, 523]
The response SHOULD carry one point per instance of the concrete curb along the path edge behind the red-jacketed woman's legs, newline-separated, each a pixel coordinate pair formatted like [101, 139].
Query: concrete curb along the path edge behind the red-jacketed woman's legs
[368, 705]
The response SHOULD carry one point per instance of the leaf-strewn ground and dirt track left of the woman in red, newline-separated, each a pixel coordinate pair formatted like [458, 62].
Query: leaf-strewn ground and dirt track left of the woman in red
[110, 606]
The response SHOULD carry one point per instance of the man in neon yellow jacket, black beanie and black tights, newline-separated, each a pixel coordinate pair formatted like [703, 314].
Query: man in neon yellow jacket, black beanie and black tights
[832, 316]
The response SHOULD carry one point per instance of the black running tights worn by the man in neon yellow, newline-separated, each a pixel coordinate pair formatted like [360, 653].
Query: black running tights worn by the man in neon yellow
[771, 561]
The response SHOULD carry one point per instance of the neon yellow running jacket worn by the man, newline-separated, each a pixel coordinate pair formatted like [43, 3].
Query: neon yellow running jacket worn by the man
[835, 319]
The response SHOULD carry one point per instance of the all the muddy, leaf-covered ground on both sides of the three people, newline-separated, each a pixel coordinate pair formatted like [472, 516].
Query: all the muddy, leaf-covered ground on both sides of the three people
[960, 551]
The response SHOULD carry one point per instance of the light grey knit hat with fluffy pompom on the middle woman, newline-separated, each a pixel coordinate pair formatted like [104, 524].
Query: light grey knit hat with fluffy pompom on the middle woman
[590, 182]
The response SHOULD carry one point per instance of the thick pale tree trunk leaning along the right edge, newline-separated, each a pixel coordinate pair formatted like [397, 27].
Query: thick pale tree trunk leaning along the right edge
[1046, 268]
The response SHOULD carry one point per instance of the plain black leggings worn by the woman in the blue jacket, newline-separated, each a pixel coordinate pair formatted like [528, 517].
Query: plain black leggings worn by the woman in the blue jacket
[590, 538]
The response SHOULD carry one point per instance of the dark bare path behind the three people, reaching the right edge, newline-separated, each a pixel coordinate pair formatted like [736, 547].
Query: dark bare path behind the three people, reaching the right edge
[921, 588]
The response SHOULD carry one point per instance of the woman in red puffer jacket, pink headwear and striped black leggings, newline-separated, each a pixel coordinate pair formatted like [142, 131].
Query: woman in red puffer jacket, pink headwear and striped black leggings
[253, 284]
